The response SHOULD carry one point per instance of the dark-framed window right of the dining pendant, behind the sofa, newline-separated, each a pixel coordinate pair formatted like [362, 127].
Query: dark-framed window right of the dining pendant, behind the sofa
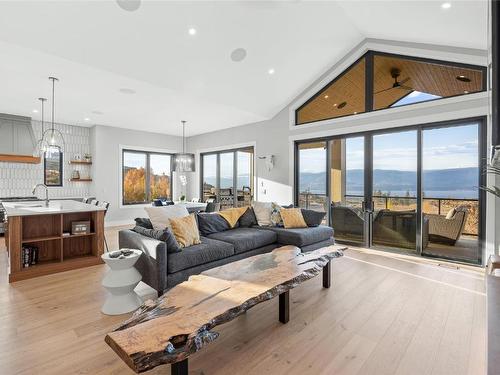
[227, 177]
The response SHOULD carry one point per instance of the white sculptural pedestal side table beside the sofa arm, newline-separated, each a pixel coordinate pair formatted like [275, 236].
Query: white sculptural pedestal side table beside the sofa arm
[120, 282]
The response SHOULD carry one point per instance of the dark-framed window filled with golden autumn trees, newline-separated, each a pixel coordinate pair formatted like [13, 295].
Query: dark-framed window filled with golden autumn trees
[146, 176]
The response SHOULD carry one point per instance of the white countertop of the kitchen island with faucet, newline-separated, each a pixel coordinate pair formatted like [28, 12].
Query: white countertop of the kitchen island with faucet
[54, 207]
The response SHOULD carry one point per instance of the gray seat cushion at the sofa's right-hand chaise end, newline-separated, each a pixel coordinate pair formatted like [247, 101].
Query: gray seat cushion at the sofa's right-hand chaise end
[301, 236]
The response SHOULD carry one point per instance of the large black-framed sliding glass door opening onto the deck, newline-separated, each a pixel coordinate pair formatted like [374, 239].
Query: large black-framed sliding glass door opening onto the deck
[413, 190]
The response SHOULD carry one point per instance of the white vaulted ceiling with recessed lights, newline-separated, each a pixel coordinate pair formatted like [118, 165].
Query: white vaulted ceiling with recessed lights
[96, 48]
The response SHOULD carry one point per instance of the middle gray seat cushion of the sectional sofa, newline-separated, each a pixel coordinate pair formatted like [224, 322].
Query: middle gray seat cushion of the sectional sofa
[244, 239]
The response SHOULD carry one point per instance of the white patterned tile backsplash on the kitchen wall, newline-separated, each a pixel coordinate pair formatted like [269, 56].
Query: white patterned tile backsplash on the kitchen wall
[18, 179]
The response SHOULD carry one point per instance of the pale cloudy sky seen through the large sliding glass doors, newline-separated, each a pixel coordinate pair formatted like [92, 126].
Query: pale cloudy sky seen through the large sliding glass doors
[444, 148]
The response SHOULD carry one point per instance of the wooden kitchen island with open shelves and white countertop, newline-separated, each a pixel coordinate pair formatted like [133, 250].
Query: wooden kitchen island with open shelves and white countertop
[40, 238]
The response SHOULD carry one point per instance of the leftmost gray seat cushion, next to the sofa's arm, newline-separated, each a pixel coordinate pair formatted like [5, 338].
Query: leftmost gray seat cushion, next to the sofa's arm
[207, 251]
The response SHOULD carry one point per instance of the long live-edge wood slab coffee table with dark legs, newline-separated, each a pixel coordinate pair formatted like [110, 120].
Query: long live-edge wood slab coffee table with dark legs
[180, 322]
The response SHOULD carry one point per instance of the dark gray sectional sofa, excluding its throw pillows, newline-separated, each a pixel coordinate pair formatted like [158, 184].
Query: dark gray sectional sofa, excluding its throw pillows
[162, 269]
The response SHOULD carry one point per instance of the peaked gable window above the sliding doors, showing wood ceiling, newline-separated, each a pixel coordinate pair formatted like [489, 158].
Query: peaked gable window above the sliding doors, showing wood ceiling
[379, 80]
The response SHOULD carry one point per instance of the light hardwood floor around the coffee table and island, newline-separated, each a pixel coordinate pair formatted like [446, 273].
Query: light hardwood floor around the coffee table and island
[385, 314]
